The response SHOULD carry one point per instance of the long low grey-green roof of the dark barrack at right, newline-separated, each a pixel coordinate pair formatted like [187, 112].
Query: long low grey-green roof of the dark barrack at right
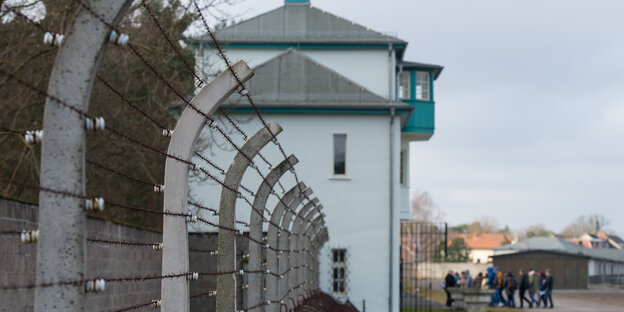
[563, 246]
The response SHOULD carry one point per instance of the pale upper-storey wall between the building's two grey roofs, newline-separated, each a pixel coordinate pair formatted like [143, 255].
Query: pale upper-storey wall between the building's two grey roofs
[371, 68]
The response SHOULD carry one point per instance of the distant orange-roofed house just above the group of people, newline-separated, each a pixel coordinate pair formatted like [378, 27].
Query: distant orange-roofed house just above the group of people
[482, 245]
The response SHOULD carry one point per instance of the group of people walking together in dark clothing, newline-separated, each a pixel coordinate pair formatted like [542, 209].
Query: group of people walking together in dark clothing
[539, 287]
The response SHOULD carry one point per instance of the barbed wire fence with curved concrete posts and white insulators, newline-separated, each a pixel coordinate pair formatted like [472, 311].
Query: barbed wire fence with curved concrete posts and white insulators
[282, 265]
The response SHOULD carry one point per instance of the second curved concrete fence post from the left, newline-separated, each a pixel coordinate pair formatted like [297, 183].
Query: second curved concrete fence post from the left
[175, 291]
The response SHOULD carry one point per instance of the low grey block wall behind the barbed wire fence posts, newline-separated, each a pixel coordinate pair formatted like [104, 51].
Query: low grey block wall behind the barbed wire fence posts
[18, 262]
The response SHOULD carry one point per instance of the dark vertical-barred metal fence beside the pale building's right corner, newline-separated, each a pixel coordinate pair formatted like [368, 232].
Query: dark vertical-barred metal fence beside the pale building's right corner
[421, 244]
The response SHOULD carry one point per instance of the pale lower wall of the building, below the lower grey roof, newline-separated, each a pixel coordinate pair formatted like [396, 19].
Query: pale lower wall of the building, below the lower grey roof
[356, 205]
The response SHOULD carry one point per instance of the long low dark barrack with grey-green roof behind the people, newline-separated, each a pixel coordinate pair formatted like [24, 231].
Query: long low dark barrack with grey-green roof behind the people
[573, 266]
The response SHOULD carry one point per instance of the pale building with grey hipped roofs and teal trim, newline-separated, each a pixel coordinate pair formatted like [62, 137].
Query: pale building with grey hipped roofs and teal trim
[333, 85]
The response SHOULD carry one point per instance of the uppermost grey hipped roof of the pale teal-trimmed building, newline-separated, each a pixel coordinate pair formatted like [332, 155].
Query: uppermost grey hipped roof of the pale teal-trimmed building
[300, 23]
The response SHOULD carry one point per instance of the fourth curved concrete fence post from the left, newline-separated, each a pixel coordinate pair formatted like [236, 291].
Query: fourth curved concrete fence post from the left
[256, 289]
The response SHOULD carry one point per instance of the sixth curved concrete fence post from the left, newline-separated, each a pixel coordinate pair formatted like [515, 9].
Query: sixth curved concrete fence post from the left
[285, 263]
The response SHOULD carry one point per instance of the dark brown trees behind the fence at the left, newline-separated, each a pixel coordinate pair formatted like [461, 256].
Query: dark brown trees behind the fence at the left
[23, 54]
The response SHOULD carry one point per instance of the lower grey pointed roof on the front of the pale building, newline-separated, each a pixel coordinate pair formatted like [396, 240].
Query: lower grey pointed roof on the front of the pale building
[293, 80]
